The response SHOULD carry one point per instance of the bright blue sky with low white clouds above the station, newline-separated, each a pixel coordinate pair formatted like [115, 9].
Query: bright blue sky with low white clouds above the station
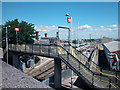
[96, 18]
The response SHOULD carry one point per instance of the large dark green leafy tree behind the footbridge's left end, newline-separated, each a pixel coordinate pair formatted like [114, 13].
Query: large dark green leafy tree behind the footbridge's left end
[26, 33]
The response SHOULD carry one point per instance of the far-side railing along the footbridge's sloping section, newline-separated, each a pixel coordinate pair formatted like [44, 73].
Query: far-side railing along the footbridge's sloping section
[94, 67]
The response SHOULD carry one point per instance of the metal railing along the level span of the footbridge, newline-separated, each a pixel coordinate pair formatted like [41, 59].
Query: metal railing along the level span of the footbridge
[43, 49]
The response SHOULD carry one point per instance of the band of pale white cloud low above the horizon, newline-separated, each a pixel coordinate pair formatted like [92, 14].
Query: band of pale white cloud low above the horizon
[84, 30]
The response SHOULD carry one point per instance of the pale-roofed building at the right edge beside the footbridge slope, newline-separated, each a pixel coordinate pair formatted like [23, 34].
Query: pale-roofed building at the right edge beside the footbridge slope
[112, 51]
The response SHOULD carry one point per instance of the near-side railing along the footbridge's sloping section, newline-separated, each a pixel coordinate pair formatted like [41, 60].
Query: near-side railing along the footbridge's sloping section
[100, 81]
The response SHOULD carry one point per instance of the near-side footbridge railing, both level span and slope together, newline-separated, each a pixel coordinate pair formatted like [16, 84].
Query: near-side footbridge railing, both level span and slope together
[100, 81]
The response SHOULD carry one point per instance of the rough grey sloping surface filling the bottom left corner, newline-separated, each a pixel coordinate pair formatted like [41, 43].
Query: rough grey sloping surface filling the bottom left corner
[14, 78]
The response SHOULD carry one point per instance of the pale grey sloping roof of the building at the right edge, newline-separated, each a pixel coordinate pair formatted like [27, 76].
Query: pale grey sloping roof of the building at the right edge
[113, 46]
